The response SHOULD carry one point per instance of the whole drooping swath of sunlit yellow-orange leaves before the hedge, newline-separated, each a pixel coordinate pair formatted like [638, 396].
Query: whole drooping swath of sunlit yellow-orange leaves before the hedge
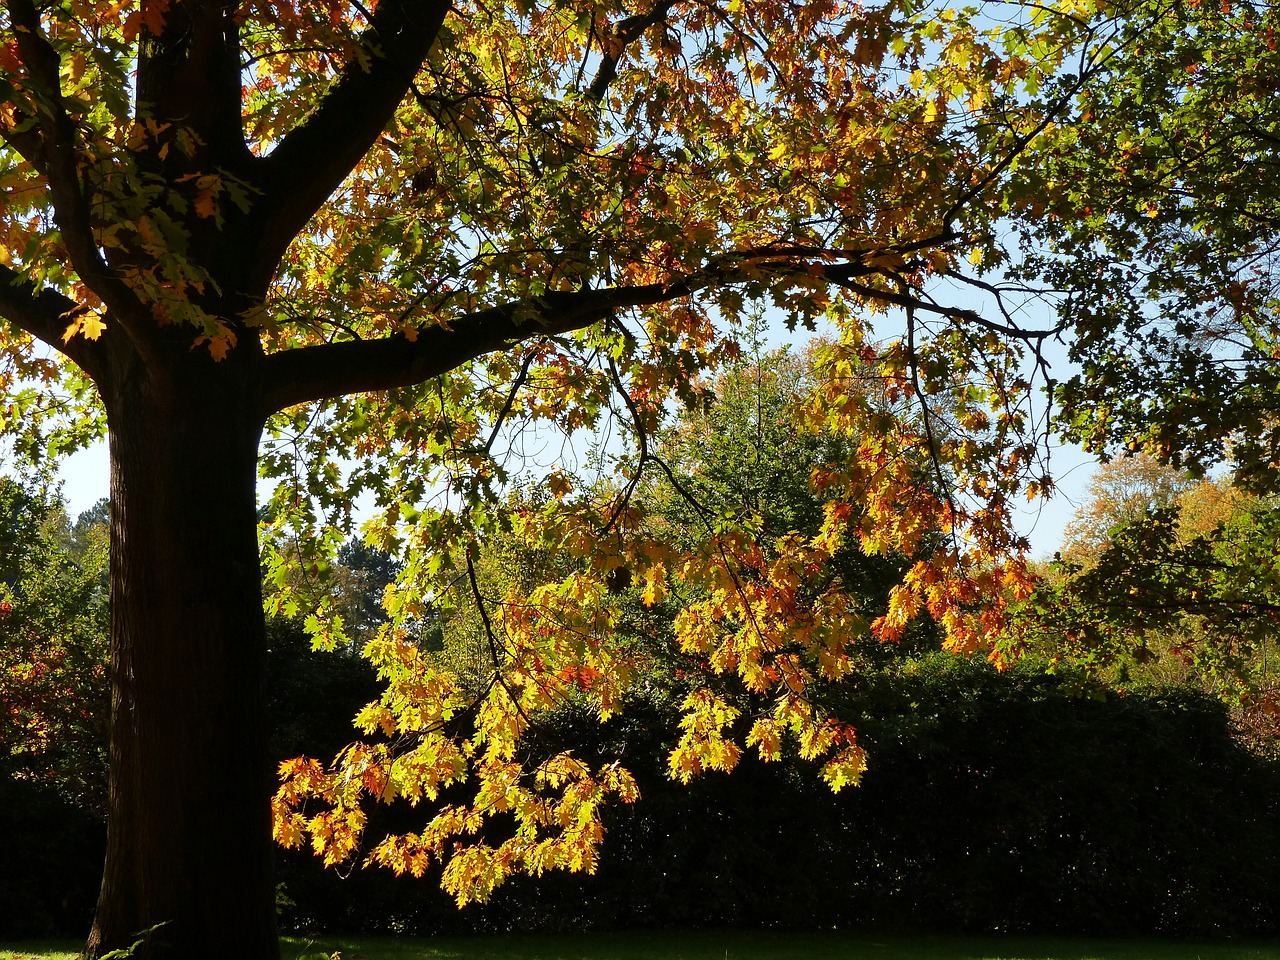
[762, 624]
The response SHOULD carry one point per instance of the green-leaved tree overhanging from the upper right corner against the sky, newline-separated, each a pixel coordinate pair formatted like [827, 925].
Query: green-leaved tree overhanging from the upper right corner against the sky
[1163, 227]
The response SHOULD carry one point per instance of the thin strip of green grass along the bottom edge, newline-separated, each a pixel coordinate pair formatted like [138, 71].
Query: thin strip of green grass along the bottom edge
[729, 945]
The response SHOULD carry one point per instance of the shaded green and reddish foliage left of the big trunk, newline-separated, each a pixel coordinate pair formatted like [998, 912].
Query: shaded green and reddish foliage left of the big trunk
[54, 711]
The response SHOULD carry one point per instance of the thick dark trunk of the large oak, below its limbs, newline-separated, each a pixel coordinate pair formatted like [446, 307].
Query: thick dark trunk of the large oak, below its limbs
[189, 840]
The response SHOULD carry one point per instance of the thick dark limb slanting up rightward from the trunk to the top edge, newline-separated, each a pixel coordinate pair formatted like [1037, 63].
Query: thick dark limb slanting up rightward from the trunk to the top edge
[312, 162]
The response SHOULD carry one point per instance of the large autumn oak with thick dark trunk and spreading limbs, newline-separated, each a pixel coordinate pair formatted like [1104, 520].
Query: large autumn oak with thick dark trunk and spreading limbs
[387, 234]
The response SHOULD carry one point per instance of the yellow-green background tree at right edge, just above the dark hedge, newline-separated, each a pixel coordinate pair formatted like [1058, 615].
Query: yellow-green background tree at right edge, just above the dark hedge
[1176, 596]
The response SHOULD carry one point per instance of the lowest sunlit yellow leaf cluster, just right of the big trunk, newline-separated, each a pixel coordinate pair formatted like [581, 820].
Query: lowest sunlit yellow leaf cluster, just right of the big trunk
[556, 807]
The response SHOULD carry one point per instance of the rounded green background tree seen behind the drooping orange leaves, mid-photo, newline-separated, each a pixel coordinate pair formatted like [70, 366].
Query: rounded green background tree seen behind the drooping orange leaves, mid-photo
[757, 455]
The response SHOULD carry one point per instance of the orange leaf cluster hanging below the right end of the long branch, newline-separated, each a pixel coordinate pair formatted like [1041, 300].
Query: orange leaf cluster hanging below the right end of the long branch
[912, 487]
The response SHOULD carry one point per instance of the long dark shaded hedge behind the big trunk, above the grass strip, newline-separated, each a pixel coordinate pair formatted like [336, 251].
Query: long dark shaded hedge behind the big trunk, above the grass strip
[993, 803]
